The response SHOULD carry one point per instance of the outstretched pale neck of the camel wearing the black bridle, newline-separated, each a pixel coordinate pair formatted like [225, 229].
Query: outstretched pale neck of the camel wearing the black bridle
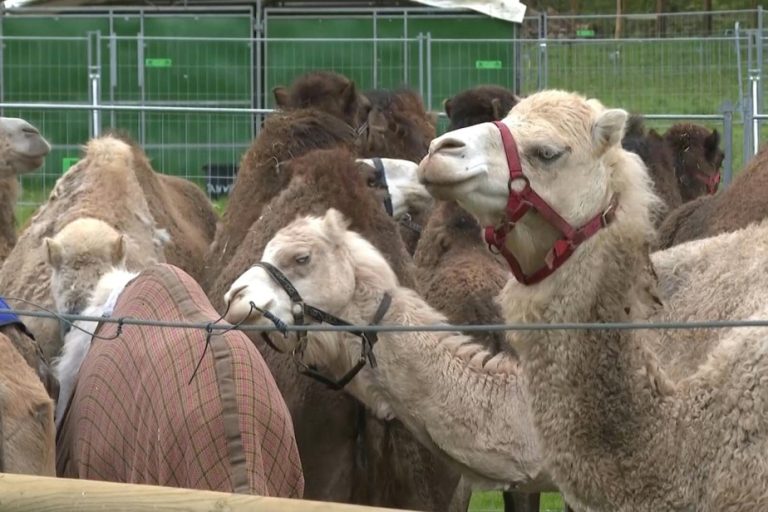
[456, 401]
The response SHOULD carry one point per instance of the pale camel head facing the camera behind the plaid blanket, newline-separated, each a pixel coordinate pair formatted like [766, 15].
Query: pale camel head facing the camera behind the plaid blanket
[79, 255]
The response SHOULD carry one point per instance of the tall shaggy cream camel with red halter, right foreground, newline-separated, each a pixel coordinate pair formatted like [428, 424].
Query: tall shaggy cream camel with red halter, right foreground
[617, 431]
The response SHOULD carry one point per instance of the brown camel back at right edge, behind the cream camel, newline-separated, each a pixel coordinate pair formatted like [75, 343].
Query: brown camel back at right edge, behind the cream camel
[742, 203]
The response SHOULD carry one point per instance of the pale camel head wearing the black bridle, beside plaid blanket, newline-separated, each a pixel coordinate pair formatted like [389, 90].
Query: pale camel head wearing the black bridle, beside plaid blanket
[334, 270]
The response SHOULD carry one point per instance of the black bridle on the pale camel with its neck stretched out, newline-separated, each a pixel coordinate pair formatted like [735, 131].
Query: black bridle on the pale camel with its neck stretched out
[300, 311]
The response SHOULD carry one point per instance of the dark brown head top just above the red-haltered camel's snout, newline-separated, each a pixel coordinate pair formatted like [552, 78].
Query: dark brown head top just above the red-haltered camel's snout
[479, 104]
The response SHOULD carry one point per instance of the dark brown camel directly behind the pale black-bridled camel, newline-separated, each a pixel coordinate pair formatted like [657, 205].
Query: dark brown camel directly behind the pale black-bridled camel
[347, 454]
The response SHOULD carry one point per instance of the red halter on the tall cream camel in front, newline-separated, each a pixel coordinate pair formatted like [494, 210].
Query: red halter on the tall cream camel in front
[518, 205]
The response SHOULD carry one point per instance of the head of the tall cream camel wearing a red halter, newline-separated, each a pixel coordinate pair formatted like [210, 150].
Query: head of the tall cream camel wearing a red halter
[568, 150]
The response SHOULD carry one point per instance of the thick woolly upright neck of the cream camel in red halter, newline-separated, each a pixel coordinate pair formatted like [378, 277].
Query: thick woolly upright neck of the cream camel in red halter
[595, 394]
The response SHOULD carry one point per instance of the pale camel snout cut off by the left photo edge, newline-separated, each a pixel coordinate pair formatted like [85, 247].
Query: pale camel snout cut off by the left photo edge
[23, 148]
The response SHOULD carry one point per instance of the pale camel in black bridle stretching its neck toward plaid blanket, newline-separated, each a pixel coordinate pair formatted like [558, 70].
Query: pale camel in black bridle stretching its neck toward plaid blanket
[469, 409]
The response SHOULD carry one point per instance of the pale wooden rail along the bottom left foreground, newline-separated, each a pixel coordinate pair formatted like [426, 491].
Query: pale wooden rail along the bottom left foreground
[27, 493]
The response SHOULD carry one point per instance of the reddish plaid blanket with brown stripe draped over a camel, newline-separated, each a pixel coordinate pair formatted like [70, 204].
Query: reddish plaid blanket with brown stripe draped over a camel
[135, 417]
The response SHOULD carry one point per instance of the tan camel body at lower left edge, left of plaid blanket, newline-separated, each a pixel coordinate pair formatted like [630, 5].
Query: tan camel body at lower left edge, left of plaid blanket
[27, 436]
